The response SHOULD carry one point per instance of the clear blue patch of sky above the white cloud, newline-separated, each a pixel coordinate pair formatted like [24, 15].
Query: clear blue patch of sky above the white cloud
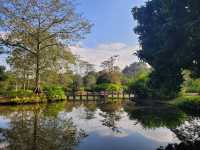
[112, 20]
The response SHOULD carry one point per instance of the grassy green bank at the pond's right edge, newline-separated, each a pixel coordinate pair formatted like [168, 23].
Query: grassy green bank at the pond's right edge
[187, 102]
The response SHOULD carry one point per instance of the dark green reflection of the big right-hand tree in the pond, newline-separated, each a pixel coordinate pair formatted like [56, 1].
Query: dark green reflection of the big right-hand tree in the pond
[156, 115]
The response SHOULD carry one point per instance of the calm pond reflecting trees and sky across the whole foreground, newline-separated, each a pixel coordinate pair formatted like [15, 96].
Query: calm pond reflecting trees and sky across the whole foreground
[94, 126]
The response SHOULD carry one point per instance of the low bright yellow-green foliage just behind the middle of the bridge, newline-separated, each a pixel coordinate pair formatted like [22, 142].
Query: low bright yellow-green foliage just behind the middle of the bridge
[108, 87]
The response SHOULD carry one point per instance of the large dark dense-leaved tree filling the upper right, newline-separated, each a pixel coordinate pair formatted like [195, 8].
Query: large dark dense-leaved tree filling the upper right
[169, 36]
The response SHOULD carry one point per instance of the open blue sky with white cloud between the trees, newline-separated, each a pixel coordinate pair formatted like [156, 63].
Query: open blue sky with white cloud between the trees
[111, 34]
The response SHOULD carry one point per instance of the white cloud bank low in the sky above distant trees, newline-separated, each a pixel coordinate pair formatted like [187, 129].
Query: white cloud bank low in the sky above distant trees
[102, 52]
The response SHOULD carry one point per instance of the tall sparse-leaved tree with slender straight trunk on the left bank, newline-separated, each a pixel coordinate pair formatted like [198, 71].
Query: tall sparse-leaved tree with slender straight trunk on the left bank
[40, 28]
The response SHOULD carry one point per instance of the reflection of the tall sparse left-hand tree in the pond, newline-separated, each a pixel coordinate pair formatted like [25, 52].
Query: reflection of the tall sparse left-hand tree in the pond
[32, 130]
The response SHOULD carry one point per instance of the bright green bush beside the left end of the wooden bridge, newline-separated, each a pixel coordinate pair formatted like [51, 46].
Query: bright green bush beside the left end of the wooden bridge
[54, 93]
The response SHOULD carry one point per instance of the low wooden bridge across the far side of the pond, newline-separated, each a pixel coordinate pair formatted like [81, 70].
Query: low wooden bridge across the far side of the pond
[93, 96]
